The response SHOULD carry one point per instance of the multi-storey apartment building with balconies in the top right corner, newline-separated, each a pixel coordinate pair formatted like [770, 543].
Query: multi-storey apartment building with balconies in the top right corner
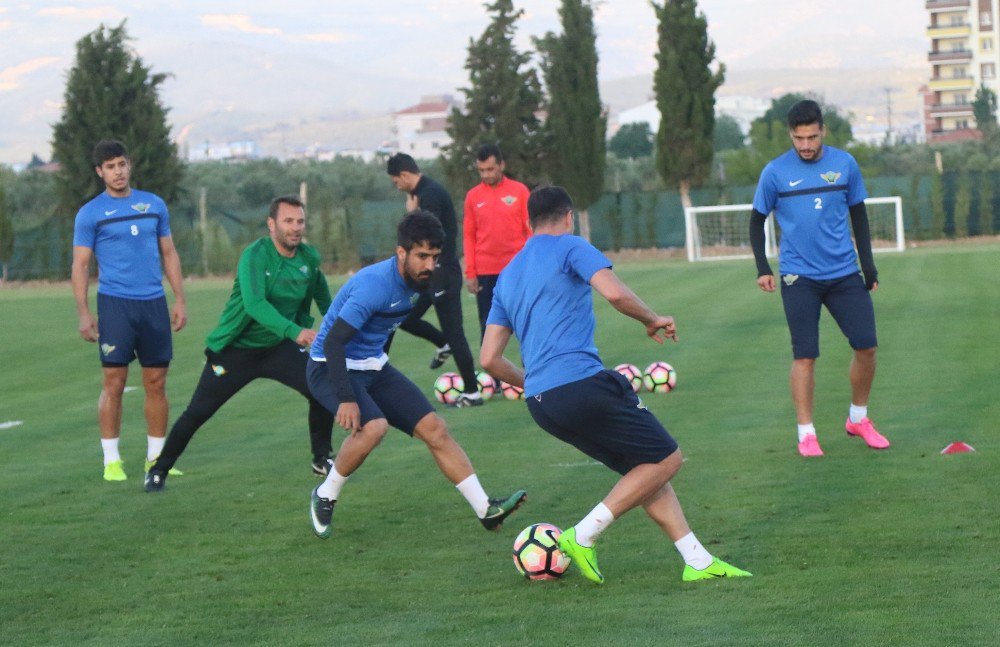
[964, 55]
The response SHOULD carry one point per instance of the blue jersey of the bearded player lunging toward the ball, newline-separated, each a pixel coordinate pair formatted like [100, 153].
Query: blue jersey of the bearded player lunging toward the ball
[374, 302]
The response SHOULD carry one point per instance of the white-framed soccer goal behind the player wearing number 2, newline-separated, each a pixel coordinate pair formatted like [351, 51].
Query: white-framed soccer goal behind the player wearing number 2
[722, 232]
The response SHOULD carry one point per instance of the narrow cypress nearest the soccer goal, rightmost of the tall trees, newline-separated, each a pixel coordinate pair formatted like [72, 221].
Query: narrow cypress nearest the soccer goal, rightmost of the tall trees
[685, 86]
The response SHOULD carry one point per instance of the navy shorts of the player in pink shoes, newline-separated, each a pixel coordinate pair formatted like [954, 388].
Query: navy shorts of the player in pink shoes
[847, 300]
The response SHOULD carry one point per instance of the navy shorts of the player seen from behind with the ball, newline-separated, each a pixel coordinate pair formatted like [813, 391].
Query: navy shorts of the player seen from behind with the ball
[602, 417]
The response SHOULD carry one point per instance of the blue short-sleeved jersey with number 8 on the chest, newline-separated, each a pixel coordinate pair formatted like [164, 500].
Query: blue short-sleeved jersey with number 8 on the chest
[124, 234]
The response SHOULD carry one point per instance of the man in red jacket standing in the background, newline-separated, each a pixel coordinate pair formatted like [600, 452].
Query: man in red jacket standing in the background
[495, 227]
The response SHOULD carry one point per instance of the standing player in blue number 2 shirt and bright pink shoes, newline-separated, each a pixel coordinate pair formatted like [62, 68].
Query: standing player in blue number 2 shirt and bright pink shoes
[814, 190]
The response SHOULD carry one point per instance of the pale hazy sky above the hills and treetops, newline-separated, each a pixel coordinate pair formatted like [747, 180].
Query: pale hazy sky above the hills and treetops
[228, 53]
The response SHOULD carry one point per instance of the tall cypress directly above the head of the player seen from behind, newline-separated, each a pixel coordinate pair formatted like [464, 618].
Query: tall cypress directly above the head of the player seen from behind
[576, 124]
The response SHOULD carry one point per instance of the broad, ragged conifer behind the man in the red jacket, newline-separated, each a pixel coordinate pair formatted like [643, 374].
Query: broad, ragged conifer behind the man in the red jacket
[501, 104]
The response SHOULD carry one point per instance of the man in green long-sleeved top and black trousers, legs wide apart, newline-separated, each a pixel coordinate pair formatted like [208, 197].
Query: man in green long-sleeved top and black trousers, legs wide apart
[264, 331]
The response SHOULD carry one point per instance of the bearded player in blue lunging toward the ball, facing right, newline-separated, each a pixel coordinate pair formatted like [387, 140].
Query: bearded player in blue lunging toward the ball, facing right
[349, 373]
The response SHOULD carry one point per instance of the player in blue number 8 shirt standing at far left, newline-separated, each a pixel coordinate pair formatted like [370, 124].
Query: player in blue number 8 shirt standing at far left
[128, 231]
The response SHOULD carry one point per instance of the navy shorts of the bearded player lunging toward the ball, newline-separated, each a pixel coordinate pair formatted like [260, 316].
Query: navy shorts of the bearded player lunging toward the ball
[380, 394]
